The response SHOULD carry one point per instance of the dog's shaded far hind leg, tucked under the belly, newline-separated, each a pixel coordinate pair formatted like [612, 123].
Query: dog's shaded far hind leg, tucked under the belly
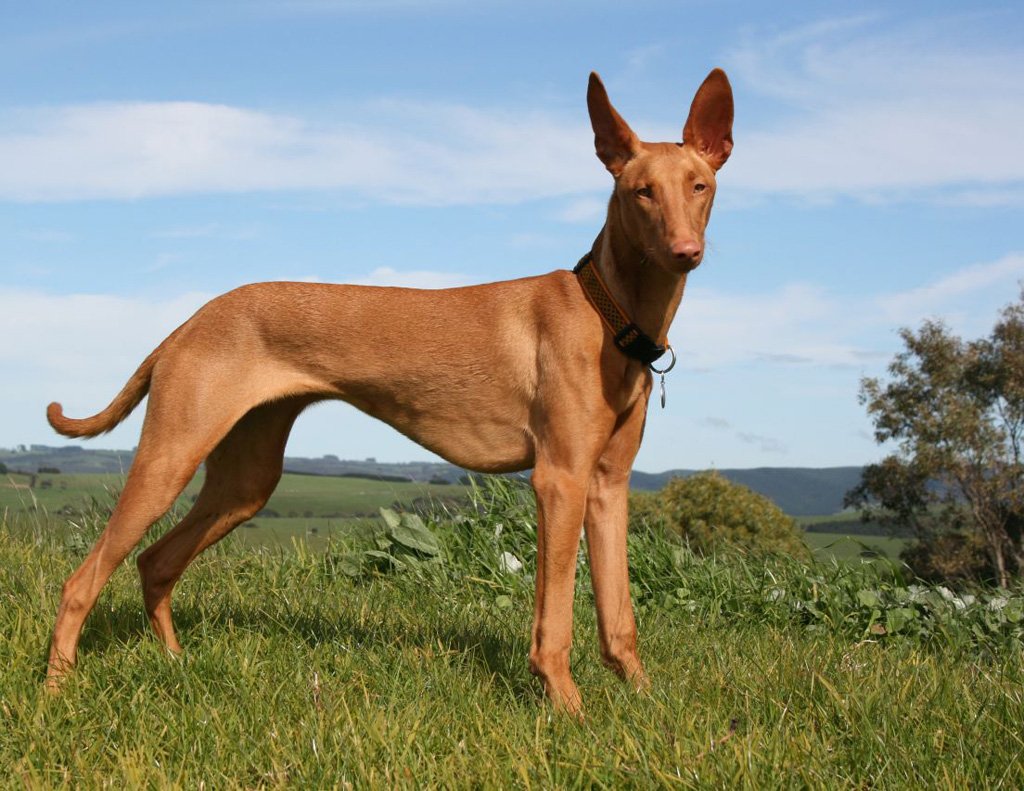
[241, 475]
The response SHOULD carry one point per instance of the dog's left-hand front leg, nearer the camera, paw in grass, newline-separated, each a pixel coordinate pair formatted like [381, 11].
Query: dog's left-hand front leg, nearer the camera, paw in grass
[561, 501]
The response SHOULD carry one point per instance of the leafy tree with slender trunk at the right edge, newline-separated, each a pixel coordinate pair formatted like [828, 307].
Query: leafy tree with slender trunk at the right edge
[956, 411]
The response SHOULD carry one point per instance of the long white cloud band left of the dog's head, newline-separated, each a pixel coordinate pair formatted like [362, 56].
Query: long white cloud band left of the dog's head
[396, 152]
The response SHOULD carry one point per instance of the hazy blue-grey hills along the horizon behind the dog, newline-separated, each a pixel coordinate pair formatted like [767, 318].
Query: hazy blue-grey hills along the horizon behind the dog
[798, 491]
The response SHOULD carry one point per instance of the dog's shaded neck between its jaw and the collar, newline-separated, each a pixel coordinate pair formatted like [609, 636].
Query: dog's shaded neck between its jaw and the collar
[648, 294]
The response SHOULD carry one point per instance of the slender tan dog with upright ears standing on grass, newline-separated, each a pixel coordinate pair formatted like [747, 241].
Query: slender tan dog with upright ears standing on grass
[500, 378]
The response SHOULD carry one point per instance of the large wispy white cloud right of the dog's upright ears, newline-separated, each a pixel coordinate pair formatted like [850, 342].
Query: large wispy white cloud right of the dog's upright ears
[884, 113]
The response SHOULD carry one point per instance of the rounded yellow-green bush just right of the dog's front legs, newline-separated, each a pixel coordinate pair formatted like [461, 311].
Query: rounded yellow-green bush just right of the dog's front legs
[712, 514]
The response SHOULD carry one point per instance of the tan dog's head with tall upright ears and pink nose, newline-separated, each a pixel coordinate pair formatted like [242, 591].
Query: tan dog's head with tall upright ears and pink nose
[664, 191]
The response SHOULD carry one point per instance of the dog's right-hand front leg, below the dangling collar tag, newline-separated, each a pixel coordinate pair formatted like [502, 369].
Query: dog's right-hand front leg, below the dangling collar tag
[607, 520]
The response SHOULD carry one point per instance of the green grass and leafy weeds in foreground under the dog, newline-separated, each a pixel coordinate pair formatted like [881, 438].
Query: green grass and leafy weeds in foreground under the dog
[313, 670]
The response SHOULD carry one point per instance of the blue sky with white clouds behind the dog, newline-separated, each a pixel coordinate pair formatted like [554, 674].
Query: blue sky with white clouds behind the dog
[153, 156]
